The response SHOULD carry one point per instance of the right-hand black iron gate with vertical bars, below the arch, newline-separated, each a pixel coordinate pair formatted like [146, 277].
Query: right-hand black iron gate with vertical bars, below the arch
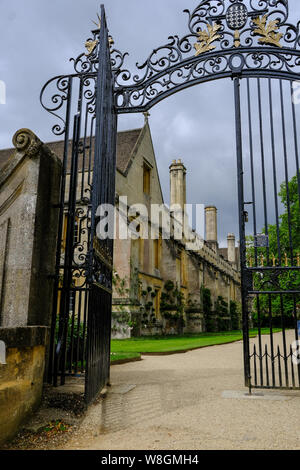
[269, 195]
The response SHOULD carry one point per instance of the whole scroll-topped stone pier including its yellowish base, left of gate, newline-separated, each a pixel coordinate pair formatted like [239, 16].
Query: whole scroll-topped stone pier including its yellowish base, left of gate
[29, 196]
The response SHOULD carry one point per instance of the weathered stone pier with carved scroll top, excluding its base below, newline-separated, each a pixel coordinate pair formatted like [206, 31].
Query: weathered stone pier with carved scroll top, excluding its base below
[29, 191]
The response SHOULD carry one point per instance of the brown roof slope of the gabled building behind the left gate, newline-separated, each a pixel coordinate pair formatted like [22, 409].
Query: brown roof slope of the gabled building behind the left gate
[126, 142]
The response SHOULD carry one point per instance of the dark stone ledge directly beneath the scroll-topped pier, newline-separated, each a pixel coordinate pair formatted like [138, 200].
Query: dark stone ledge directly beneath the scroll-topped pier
[24, 337]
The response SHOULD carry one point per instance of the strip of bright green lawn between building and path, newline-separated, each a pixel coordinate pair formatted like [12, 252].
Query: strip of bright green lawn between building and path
[127, 347]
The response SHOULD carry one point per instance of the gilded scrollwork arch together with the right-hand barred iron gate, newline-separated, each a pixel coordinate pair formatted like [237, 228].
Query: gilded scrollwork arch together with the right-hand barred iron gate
[250, 42]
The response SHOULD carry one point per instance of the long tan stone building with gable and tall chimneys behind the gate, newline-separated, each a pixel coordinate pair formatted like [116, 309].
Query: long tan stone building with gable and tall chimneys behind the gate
[158, 280]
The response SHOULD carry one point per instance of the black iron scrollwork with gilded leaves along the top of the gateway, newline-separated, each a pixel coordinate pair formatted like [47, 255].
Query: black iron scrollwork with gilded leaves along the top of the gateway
[257, 32]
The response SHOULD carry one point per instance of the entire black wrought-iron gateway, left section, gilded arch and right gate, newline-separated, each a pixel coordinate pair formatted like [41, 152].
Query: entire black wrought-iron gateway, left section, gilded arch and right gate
[253, 43]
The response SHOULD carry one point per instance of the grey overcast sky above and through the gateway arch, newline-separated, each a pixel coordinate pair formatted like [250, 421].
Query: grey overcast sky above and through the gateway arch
[37, 39]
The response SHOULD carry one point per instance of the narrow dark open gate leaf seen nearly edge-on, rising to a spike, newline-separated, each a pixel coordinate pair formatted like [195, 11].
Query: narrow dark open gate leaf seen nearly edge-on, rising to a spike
[101, 250]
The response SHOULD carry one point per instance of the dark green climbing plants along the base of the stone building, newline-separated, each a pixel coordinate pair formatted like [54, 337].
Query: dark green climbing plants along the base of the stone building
[220, 316]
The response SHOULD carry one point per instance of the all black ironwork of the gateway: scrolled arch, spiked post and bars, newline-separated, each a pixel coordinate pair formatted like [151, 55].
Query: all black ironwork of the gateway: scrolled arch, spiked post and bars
[225, 38]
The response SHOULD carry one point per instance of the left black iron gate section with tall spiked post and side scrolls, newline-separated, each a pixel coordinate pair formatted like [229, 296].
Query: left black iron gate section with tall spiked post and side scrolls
[81, 323]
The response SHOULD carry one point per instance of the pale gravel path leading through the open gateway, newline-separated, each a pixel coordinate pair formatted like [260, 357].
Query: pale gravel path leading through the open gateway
[177, 402]
